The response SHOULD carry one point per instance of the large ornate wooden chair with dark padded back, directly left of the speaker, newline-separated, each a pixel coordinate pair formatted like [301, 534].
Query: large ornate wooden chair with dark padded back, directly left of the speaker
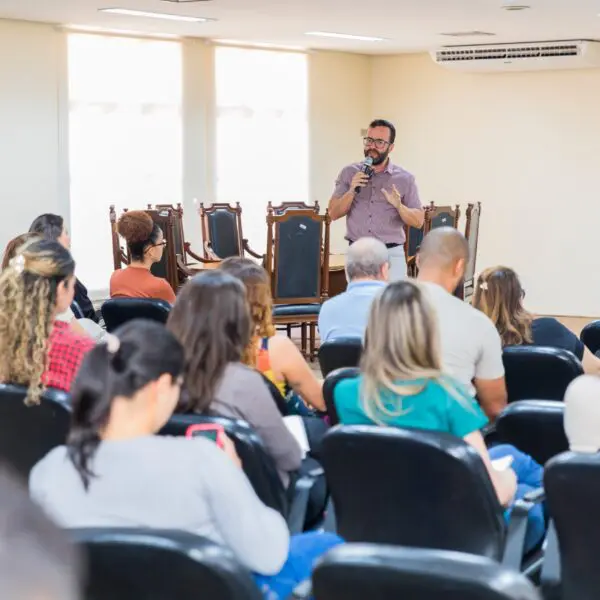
[298, 264]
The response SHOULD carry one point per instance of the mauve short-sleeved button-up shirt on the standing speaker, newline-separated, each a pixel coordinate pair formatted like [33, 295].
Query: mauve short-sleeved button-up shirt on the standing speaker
[370, 214]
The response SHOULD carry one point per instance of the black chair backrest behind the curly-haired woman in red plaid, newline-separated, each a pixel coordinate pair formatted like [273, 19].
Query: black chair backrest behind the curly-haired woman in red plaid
[28, 433]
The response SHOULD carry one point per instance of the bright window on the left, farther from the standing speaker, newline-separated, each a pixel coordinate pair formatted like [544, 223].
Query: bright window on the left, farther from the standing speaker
[125, 138]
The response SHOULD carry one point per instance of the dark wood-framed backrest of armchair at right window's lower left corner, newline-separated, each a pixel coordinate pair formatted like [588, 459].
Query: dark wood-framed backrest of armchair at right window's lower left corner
[222, 229]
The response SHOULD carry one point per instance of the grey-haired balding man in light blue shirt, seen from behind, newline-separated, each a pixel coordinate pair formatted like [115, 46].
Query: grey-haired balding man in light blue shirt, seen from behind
[367, 270]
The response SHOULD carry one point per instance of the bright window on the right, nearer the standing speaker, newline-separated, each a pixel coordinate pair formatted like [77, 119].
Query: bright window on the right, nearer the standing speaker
[262, 132]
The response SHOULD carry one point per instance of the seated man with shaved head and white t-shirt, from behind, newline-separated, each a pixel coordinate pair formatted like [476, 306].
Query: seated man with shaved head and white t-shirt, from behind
[471, 347]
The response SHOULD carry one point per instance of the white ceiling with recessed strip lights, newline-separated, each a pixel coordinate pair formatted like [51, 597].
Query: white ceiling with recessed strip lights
[407, 25]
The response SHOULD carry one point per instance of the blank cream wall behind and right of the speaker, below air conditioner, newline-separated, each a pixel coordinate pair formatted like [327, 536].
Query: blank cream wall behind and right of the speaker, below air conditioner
[527, 145]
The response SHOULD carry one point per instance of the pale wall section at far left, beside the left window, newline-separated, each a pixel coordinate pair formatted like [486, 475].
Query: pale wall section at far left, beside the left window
[32, 167]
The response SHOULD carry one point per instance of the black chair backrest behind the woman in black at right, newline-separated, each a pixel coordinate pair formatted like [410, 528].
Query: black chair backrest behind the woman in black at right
[537, 372]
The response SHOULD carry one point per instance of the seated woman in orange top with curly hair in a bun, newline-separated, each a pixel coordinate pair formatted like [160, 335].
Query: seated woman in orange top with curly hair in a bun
[146, 244]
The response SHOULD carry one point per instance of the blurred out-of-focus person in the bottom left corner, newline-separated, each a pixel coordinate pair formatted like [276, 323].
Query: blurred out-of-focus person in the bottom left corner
[37, 561]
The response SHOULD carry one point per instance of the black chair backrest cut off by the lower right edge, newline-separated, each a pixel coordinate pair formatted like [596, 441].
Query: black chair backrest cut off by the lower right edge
[572, 485]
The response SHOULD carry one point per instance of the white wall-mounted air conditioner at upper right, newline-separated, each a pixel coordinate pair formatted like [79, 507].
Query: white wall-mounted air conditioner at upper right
[535, 56]
